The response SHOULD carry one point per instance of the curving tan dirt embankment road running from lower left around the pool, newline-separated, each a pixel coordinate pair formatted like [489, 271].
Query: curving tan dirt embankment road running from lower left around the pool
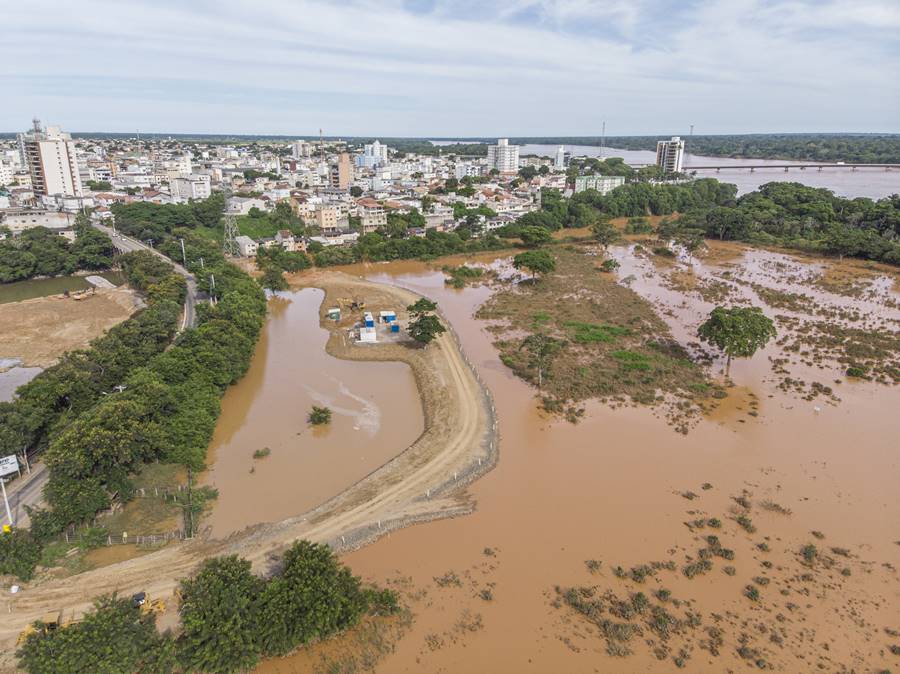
[425, 481]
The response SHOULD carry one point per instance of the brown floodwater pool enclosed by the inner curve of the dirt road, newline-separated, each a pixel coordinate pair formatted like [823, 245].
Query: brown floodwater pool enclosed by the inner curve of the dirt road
[376, 413]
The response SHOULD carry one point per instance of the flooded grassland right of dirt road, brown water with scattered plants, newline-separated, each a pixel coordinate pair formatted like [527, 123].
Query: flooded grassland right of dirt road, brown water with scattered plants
[764, 537]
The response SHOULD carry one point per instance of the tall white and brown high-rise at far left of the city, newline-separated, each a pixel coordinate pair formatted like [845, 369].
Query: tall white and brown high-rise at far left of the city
[52, 160]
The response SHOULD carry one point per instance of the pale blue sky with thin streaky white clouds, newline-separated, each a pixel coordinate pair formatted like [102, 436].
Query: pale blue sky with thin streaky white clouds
[460, 68]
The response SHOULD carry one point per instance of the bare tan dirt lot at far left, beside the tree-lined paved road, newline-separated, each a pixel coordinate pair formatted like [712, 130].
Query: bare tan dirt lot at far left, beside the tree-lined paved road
[40, 330]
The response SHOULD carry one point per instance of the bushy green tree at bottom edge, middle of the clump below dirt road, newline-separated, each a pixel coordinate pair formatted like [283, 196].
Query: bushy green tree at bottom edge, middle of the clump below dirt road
[220, 617]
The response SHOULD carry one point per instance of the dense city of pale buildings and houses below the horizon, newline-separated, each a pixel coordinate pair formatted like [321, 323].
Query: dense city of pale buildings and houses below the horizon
[340, 189]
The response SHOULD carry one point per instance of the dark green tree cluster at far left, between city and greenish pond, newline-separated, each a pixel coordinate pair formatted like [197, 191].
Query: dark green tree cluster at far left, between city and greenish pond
[39, 251]
